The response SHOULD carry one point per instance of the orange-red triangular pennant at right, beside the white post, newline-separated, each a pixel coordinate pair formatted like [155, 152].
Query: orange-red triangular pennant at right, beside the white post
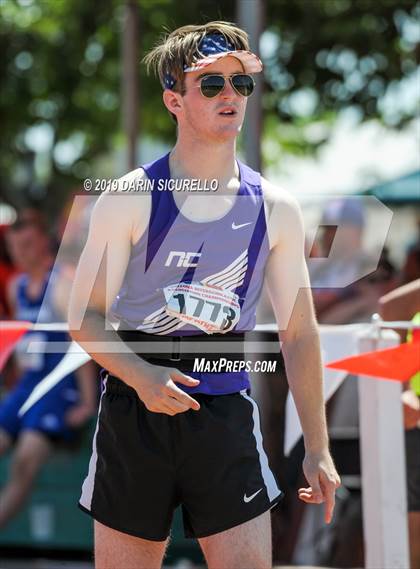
[399, 363]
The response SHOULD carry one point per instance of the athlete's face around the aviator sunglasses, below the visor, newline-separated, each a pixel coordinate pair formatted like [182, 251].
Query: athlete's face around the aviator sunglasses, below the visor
[202, 117]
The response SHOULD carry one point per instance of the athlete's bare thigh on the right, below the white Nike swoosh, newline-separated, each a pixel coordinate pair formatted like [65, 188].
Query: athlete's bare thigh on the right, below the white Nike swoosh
[247, 546]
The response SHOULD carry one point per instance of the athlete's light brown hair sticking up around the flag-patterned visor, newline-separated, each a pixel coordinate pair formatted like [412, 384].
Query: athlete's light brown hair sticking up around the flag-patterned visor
[180, 48]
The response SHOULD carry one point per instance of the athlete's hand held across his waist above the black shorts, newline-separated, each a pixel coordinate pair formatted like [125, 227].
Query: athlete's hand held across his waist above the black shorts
[157, 388]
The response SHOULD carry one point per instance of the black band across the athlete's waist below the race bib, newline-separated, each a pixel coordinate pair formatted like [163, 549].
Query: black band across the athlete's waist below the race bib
[180, 351]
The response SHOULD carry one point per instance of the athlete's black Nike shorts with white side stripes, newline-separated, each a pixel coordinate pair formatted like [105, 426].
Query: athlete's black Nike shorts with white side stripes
[145, 464]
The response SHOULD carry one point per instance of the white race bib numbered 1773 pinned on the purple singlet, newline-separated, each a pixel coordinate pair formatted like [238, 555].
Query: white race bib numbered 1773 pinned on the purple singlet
[208, 308]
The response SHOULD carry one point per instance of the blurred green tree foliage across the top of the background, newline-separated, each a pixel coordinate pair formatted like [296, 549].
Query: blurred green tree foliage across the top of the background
[60, 70]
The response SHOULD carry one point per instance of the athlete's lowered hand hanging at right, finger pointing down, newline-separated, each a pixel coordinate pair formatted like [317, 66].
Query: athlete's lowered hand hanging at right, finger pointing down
[323, 481]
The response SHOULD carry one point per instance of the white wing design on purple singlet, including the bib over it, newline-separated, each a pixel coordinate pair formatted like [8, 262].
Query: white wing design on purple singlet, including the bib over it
[184, 309]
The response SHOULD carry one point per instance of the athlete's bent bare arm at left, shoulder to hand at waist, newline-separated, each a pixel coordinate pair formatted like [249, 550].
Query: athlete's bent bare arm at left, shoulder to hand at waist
[98, 279]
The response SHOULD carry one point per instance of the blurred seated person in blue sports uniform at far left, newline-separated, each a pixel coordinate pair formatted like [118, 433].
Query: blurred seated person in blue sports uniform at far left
[66, 406]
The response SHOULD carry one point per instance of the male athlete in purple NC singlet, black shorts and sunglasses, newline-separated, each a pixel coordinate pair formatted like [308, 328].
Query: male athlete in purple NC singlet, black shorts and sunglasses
[182, 273]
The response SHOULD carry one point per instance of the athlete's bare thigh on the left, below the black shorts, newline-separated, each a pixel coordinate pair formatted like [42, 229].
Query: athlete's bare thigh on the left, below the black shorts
[114, 549]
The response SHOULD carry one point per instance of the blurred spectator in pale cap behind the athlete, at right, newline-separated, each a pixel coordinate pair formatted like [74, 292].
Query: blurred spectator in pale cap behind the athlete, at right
[337, 304]
